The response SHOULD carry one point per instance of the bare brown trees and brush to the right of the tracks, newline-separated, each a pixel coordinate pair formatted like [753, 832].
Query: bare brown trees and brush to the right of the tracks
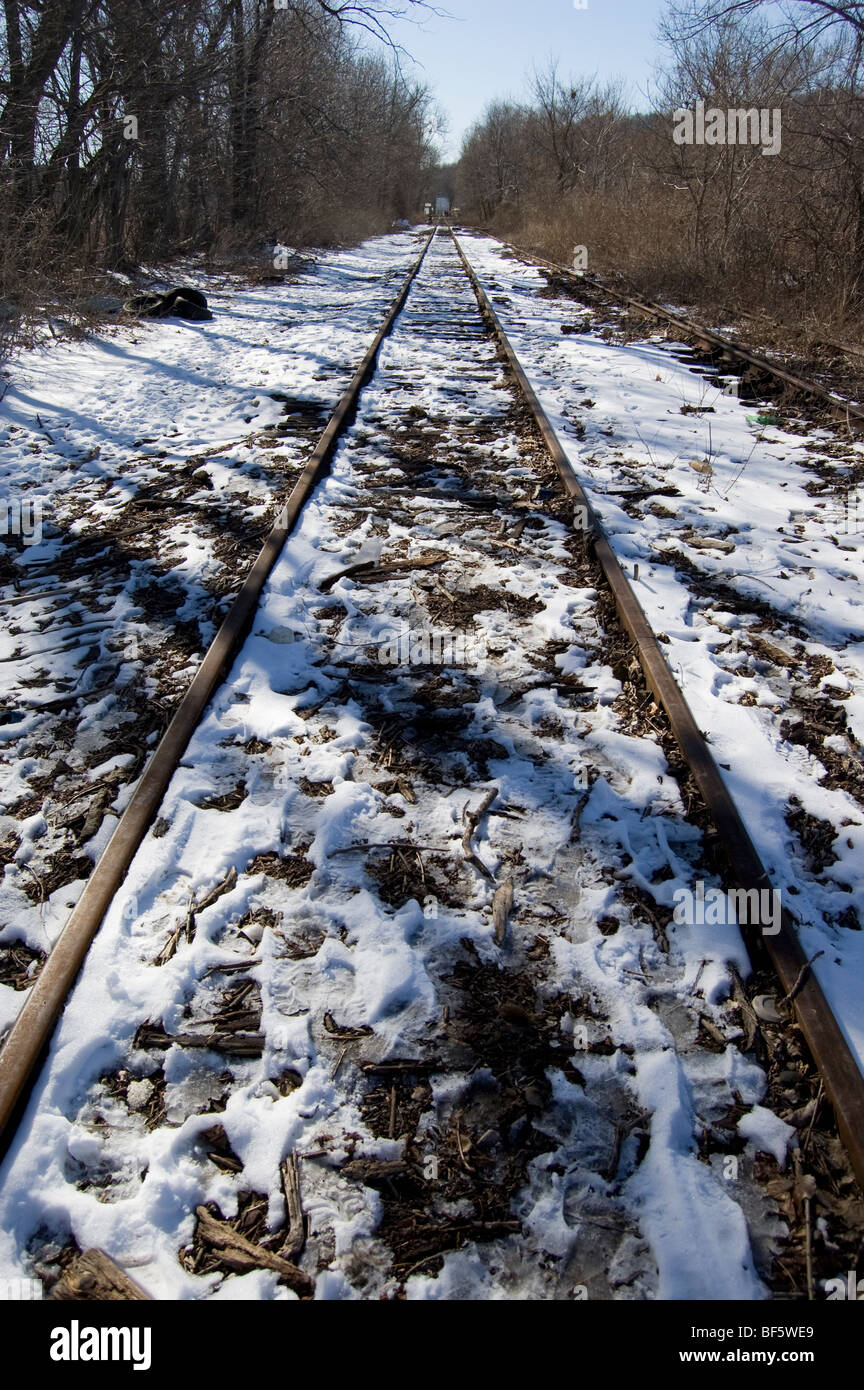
[779, 229]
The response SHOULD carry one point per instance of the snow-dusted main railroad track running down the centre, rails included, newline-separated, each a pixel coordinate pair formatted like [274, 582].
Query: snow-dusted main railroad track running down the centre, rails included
[388, 986]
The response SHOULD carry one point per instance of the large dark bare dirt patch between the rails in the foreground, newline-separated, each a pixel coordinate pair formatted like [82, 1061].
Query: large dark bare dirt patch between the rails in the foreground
[484, 1146]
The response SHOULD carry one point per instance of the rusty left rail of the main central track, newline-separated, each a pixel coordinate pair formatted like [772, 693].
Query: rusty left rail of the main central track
[34, 1027]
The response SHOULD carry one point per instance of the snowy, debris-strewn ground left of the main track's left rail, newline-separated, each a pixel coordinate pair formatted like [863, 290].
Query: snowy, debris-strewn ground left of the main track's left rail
[138, 475]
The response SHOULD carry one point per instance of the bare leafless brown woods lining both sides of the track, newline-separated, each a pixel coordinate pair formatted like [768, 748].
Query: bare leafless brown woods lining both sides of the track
[135, 133]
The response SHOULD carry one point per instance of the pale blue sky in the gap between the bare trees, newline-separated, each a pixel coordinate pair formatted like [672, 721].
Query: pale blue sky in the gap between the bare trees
[490, 48]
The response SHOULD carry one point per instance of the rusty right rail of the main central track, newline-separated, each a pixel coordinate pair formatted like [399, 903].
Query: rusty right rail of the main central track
[831, 1053]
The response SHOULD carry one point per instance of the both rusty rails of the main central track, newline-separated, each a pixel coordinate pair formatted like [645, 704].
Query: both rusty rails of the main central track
[33, 1031]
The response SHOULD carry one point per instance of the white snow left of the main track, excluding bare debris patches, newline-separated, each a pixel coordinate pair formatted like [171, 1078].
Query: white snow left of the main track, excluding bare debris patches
[88, 427]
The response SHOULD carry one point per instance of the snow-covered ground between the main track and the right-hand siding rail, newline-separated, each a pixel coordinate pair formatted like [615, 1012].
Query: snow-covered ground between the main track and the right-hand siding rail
[747, 532]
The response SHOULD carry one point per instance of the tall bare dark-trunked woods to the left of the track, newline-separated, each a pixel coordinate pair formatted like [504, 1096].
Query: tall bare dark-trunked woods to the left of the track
[131, 133]
